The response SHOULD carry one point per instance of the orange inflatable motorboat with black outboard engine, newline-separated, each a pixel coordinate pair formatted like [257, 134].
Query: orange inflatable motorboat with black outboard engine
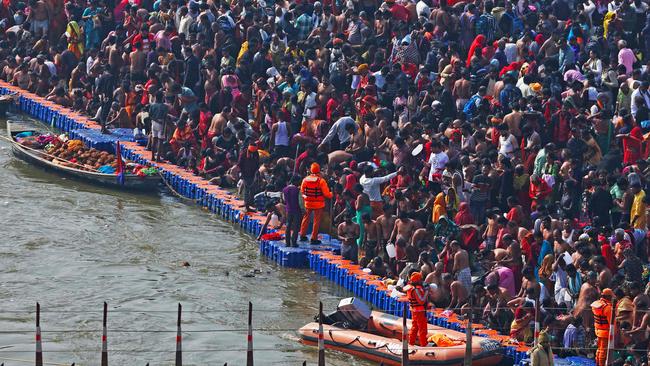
[381, 342]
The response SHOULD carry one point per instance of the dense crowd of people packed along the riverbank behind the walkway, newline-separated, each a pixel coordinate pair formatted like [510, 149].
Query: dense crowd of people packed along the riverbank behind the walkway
[498, 148]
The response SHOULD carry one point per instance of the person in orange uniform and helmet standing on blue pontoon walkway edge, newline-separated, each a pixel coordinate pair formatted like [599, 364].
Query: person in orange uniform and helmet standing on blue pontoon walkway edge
[314, 190]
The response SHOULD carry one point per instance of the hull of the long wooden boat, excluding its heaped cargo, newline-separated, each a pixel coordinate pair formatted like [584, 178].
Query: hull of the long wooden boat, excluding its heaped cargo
[36, 157]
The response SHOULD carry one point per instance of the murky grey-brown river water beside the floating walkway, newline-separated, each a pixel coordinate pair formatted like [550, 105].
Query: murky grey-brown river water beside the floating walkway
[72, 246]
